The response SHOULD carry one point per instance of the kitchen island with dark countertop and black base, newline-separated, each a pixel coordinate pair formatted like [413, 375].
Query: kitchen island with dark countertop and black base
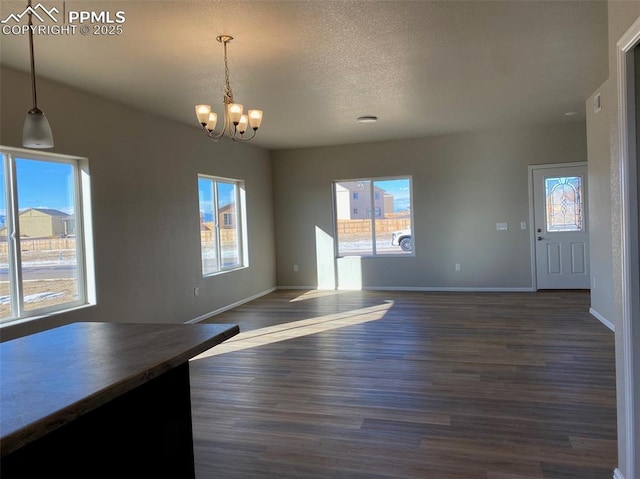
[101, 400]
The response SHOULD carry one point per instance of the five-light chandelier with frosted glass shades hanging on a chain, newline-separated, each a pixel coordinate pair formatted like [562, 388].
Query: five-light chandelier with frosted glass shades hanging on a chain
[235, 121]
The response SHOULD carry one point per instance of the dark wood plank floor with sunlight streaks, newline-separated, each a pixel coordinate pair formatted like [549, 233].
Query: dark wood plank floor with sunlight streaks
[408, 385]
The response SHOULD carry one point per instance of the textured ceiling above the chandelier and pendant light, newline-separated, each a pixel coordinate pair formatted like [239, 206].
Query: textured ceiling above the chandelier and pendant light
[423, 67]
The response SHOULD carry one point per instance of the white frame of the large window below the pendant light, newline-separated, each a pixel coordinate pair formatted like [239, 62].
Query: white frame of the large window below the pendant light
[83, 234]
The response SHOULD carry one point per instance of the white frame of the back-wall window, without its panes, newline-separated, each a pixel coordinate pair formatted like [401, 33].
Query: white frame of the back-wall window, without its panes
[370, 217]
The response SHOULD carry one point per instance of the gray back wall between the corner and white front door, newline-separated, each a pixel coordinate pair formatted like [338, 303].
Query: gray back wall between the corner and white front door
[462, 186]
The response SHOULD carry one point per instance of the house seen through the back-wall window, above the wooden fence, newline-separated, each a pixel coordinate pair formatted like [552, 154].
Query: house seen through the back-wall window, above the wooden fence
[353, 200]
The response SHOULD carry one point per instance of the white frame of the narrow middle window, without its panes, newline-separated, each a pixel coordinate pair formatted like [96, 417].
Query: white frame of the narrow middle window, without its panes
[240, 224]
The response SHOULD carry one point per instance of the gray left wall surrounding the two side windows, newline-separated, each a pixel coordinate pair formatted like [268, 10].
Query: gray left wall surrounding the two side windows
[145, 205]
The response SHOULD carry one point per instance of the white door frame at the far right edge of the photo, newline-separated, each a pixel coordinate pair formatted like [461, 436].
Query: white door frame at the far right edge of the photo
[630, 327]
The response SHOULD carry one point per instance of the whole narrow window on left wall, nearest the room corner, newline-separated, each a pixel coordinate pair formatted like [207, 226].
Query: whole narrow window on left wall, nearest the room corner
[221, 224]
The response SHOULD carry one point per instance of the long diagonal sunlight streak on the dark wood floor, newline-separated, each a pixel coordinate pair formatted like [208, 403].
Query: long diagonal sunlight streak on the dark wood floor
[296, 329]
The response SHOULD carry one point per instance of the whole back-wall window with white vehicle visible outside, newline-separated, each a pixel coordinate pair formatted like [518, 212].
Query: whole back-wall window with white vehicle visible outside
[386, 209]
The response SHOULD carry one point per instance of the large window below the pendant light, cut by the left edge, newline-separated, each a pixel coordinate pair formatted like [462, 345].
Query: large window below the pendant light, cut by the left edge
[44, 234]
